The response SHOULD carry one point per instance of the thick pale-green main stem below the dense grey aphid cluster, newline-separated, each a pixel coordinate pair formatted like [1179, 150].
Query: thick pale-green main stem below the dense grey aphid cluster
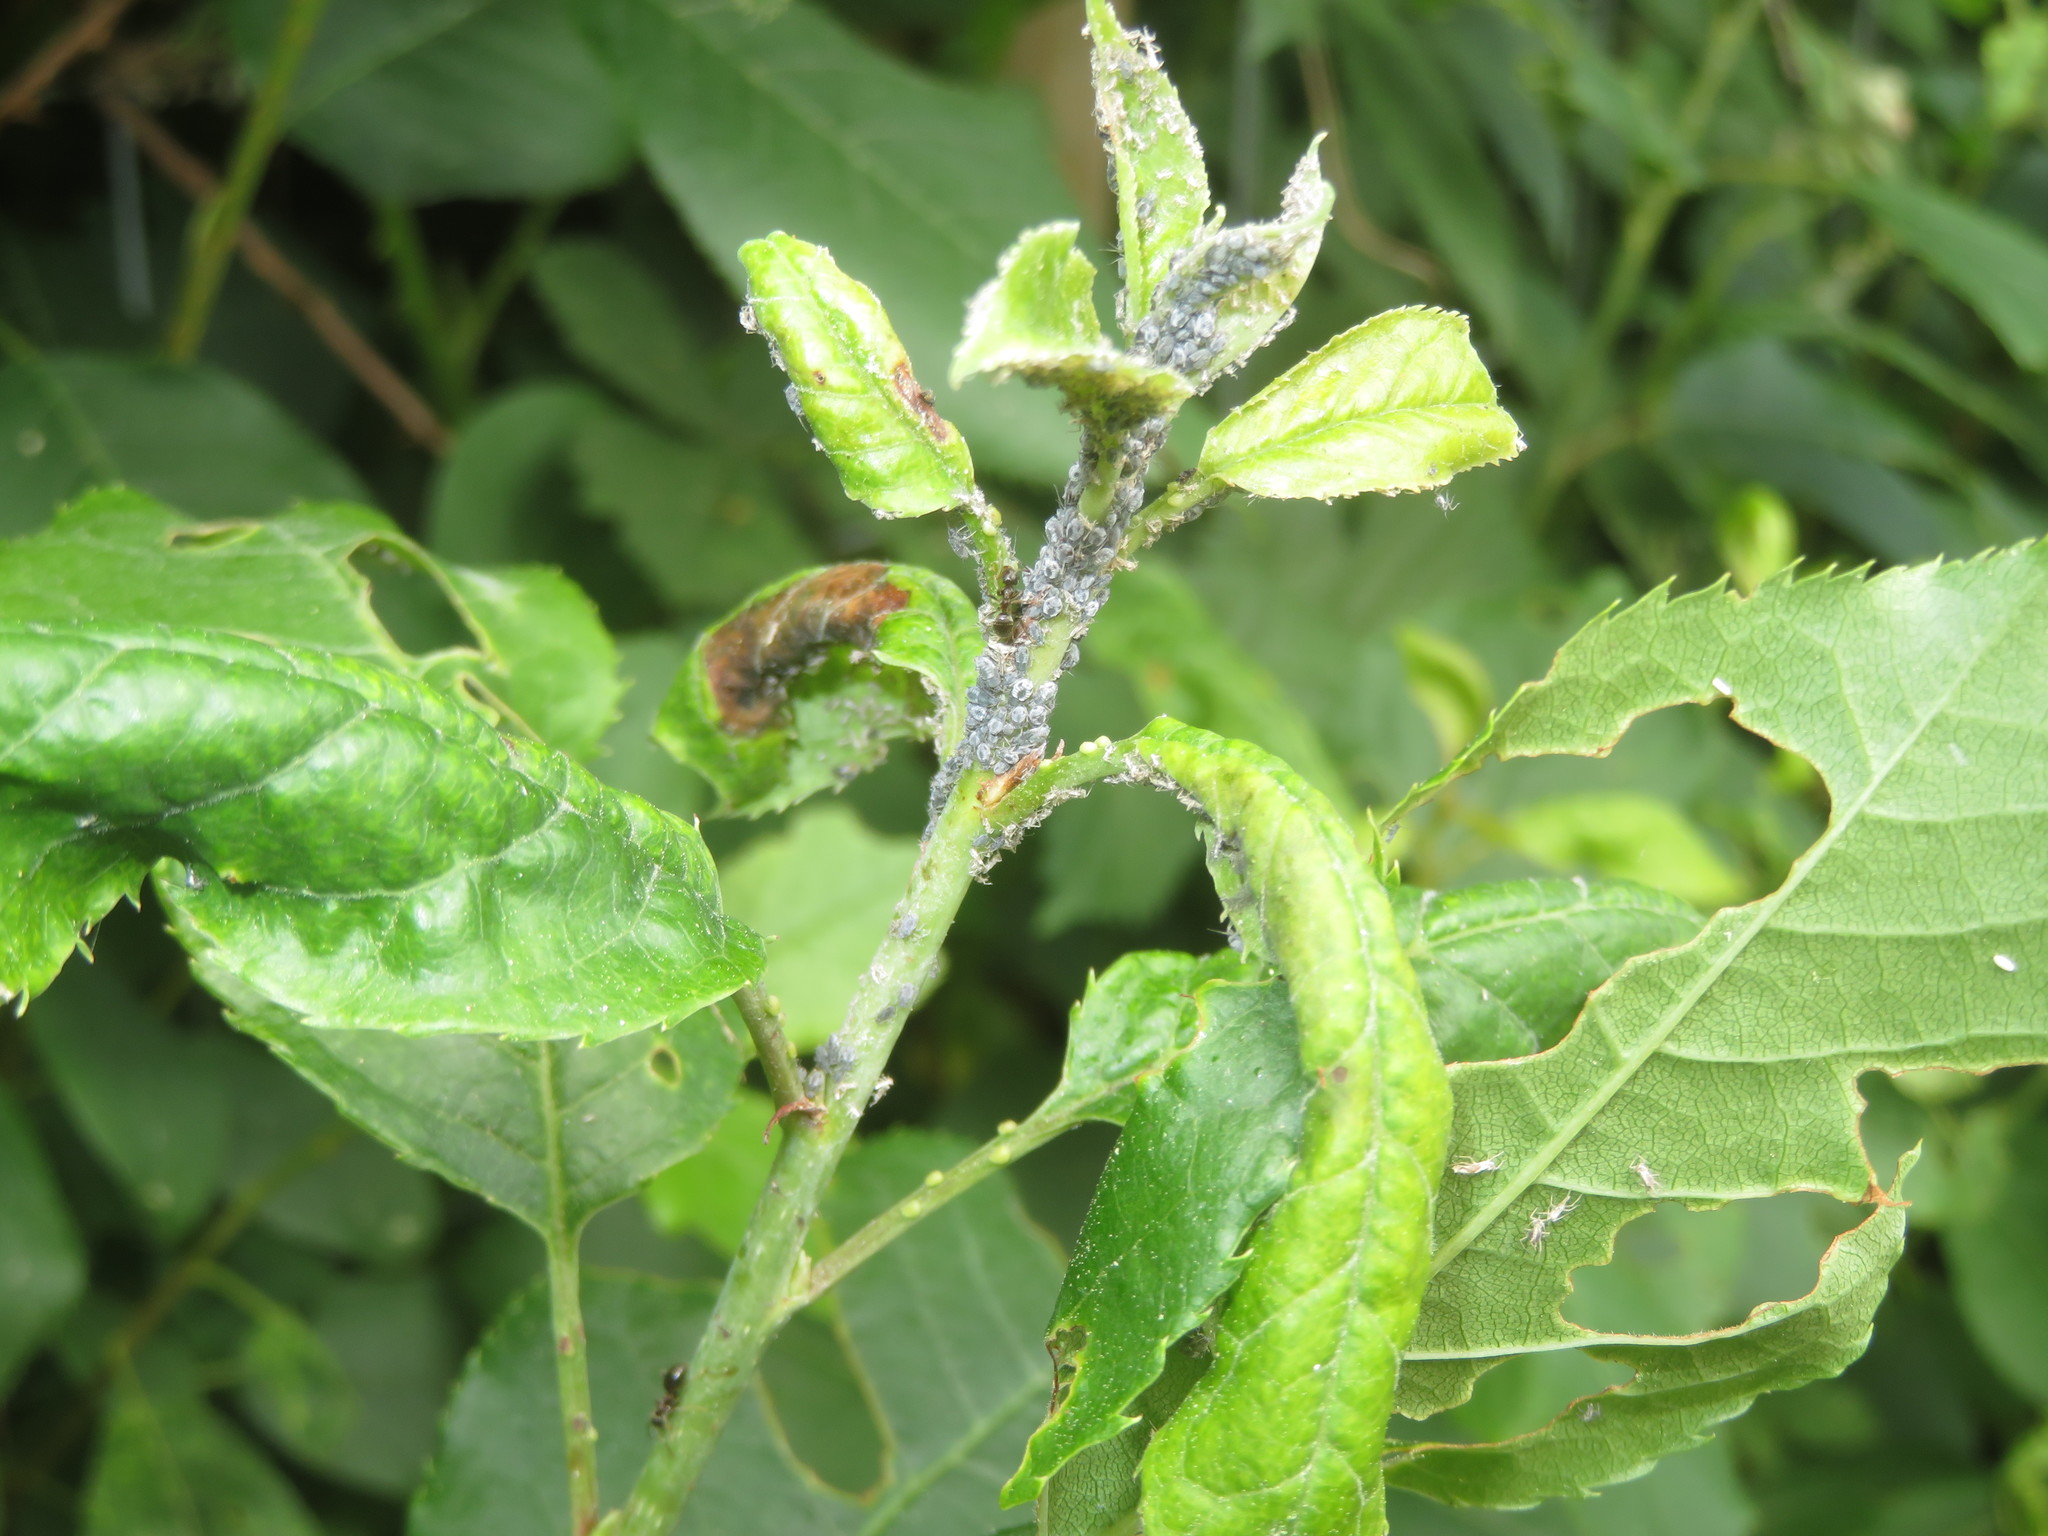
[767, 1271]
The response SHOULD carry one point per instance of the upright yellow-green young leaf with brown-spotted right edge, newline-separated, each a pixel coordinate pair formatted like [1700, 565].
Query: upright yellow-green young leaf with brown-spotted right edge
[851, 382]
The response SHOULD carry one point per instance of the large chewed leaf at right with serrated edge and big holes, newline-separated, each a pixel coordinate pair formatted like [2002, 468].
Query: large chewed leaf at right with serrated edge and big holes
[1906, 937]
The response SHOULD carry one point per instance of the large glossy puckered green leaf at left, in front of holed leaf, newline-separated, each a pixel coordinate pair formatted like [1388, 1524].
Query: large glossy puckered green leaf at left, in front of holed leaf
[343, 841]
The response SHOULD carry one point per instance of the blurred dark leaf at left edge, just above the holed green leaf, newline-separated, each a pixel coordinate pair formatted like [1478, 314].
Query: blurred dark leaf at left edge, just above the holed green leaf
[194, 435]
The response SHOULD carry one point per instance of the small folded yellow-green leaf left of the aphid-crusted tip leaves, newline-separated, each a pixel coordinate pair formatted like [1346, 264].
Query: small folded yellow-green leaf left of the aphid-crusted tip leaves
[1037, 321]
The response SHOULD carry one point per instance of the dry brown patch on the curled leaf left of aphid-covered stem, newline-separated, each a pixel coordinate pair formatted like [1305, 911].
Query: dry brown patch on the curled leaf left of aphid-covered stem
[753, 656]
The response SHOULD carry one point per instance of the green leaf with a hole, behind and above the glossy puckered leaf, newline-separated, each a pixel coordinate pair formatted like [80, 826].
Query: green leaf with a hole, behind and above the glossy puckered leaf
[298, 581]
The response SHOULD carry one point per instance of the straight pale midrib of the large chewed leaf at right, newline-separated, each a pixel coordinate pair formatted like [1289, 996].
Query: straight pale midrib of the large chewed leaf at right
[1736, 947]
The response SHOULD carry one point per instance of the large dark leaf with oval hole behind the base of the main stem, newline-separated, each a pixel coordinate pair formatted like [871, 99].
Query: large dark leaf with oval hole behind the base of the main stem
[943, 1324]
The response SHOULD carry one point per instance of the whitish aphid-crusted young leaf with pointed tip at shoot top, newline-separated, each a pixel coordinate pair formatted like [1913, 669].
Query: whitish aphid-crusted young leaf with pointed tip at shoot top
[1234, 288]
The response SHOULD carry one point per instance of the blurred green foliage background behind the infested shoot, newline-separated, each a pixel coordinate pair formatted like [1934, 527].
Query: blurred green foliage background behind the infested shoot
[1762, 280]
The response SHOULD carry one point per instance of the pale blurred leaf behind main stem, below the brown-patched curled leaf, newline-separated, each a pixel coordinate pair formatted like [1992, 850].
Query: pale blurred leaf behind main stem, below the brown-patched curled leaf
[822, 892]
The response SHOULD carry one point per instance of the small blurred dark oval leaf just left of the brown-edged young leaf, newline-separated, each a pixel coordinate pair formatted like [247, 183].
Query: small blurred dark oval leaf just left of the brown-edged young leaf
[624, 325]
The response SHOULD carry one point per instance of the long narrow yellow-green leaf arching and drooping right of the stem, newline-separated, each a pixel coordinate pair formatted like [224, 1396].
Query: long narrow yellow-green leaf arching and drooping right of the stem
[1285, 1431]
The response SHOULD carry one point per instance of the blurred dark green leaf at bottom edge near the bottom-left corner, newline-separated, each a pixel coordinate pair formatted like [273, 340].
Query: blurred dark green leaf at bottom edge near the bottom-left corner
[173, 1467]
